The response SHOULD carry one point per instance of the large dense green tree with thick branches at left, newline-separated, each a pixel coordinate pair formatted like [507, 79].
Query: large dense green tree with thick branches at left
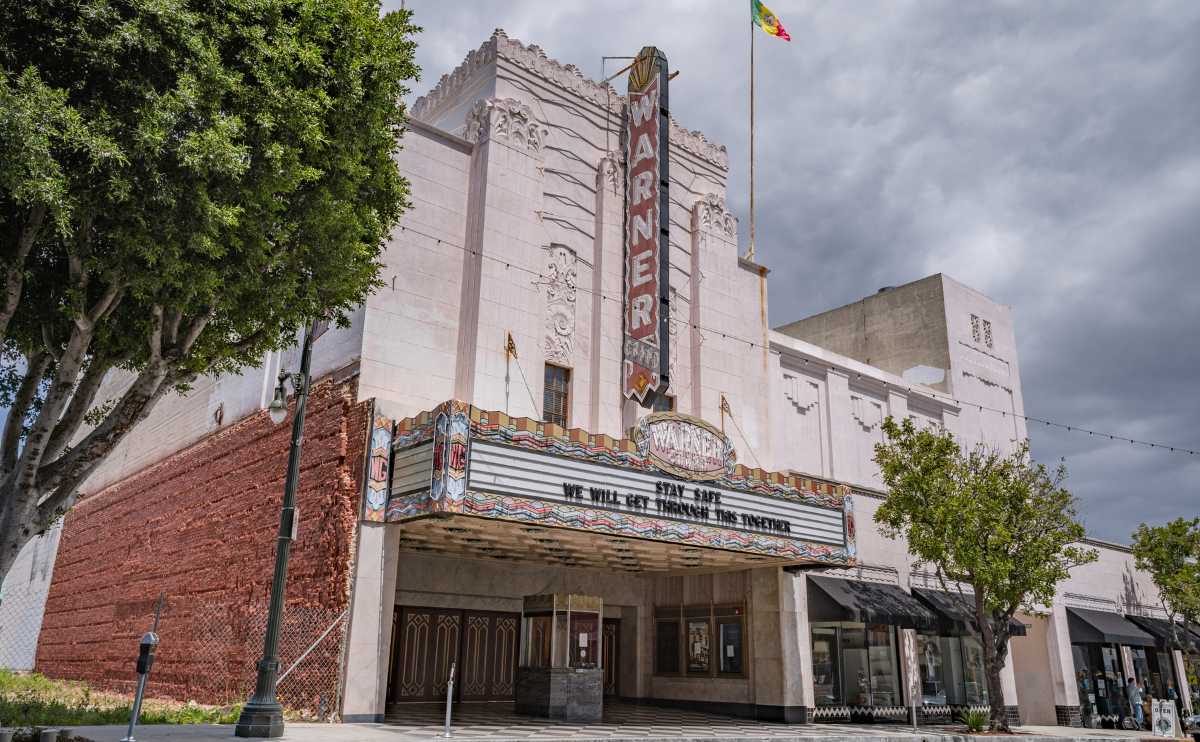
[183, 184]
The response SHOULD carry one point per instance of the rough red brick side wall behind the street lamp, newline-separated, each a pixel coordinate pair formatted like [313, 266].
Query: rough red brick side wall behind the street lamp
[201, 526]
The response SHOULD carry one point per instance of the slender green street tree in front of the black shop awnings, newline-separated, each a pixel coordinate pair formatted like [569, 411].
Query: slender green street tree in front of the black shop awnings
[995, 523]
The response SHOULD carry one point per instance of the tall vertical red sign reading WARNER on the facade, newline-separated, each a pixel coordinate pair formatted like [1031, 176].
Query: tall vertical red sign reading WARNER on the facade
[647, 266]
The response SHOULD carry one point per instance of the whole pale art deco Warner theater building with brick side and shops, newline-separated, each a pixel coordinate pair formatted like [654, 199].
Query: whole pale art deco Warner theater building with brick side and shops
[566, 451]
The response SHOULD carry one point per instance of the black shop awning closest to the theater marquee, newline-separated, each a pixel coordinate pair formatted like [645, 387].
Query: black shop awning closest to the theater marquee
[835, 600]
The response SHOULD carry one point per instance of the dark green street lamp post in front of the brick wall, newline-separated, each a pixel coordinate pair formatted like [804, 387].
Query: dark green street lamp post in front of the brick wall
[263, 716]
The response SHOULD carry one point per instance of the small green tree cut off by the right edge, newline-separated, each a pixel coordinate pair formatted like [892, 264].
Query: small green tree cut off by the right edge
[1172, 556]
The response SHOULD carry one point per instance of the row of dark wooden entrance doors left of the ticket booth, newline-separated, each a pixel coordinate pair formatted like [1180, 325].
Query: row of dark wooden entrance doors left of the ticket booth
[428, 641]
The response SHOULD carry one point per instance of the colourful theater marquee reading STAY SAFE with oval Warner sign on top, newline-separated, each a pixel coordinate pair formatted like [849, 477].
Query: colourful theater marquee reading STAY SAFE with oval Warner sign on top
[675, 481]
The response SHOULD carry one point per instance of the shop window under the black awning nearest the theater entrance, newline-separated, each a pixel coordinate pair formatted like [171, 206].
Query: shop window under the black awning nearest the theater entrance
[856, 665]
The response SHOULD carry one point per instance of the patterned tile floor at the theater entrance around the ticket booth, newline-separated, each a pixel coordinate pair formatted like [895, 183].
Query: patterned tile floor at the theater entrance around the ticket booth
[495, 722]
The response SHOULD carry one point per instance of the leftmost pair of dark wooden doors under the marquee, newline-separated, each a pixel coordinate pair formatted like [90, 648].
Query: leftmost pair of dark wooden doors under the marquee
[428, 642]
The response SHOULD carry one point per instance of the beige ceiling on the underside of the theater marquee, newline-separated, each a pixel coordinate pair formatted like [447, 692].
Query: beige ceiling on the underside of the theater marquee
[489, 540]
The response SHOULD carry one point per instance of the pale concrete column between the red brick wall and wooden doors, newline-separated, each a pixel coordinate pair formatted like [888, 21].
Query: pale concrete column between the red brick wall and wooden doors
[373, 602]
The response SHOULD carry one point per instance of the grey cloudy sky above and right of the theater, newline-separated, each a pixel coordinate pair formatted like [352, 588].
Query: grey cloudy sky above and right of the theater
[1045, 153]
